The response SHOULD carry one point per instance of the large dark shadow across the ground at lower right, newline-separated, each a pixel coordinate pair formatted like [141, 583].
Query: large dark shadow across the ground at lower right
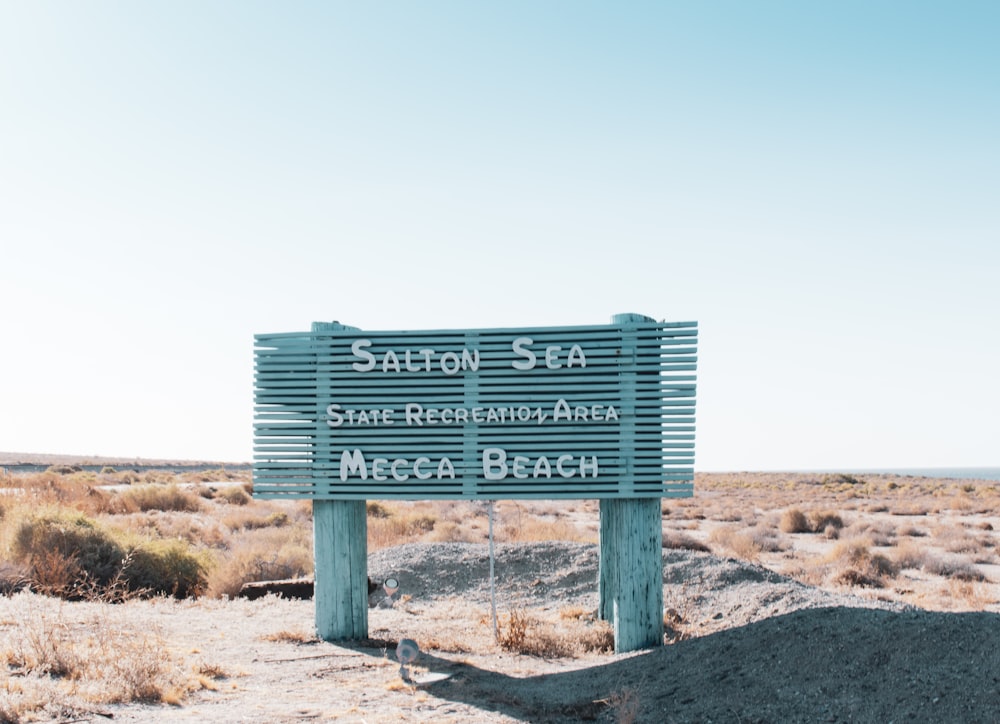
[825, 664]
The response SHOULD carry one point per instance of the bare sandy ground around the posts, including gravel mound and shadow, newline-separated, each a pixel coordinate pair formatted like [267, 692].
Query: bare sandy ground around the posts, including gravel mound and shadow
[758, 647]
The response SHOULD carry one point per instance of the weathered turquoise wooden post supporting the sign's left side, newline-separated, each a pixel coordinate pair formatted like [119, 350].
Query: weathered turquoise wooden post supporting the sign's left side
[340, 556]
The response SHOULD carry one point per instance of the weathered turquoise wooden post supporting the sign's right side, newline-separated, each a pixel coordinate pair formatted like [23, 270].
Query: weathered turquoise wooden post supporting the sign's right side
[630, 581]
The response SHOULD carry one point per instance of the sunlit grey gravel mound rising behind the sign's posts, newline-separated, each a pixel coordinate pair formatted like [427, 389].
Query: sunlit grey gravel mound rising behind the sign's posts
[703, 592]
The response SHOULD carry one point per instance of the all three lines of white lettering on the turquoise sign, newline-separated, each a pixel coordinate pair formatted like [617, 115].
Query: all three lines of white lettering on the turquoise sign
[497, 464]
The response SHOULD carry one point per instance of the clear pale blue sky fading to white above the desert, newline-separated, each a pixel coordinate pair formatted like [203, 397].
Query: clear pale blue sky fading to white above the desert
[815, 183]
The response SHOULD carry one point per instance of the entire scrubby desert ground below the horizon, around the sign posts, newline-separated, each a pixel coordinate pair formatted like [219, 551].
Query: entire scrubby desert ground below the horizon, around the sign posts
[787, 597]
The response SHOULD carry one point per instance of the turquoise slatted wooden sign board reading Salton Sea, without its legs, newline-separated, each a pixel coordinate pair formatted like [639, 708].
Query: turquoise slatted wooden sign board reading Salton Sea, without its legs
[604, 411]
